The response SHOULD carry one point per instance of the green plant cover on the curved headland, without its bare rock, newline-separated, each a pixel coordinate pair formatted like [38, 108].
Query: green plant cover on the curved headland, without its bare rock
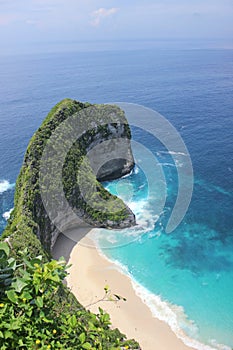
[29, 215]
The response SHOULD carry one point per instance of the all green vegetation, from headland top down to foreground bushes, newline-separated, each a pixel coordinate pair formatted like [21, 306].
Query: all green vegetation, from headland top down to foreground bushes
[37, 311]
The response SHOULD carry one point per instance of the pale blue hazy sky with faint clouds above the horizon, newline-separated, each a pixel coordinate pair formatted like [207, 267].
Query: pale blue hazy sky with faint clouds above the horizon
[37, 23]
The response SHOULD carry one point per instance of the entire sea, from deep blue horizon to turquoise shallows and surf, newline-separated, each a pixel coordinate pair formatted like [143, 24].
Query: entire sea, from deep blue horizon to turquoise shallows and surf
[186, 277]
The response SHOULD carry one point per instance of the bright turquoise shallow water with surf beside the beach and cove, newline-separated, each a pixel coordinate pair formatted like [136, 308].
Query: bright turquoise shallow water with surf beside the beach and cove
[190, 269]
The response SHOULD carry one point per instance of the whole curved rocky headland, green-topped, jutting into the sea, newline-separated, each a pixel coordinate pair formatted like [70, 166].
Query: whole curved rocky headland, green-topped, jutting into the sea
[101, 151]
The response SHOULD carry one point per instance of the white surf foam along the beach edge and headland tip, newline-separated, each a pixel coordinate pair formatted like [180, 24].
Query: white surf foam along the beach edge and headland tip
[173, 315]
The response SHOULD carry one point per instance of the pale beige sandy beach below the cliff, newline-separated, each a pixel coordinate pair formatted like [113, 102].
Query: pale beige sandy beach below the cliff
[90, 273]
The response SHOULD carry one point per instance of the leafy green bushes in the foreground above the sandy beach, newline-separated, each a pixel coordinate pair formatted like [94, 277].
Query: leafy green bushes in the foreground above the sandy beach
[37, 311]
